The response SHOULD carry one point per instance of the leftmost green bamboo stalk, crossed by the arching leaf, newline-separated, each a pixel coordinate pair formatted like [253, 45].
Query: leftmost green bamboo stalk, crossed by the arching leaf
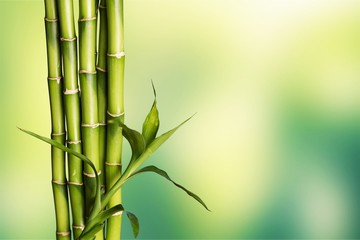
[57, 121]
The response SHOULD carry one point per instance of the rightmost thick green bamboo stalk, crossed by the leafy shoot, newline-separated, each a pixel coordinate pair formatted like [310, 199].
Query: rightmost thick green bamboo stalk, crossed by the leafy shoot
[116, 62]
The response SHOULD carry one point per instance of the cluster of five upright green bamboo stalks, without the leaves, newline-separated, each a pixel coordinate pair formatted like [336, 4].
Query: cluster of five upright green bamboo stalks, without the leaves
[85, 81]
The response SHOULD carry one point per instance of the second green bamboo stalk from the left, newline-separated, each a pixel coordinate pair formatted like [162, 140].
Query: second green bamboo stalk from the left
[72, 108]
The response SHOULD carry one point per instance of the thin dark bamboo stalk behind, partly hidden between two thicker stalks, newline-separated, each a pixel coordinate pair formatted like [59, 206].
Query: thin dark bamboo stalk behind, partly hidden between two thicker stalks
[102, 88]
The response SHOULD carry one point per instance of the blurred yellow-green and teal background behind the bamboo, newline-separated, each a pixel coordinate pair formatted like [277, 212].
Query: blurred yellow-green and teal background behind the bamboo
[274, 148]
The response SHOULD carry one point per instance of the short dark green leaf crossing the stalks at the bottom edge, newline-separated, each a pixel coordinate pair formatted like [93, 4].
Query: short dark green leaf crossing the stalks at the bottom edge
[99, 220]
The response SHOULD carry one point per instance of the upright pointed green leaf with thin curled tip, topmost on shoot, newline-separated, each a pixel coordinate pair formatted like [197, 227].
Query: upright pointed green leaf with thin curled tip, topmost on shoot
[151, 123]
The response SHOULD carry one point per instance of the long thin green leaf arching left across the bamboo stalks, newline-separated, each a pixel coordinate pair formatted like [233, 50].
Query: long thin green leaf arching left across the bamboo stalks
[97, 204]
